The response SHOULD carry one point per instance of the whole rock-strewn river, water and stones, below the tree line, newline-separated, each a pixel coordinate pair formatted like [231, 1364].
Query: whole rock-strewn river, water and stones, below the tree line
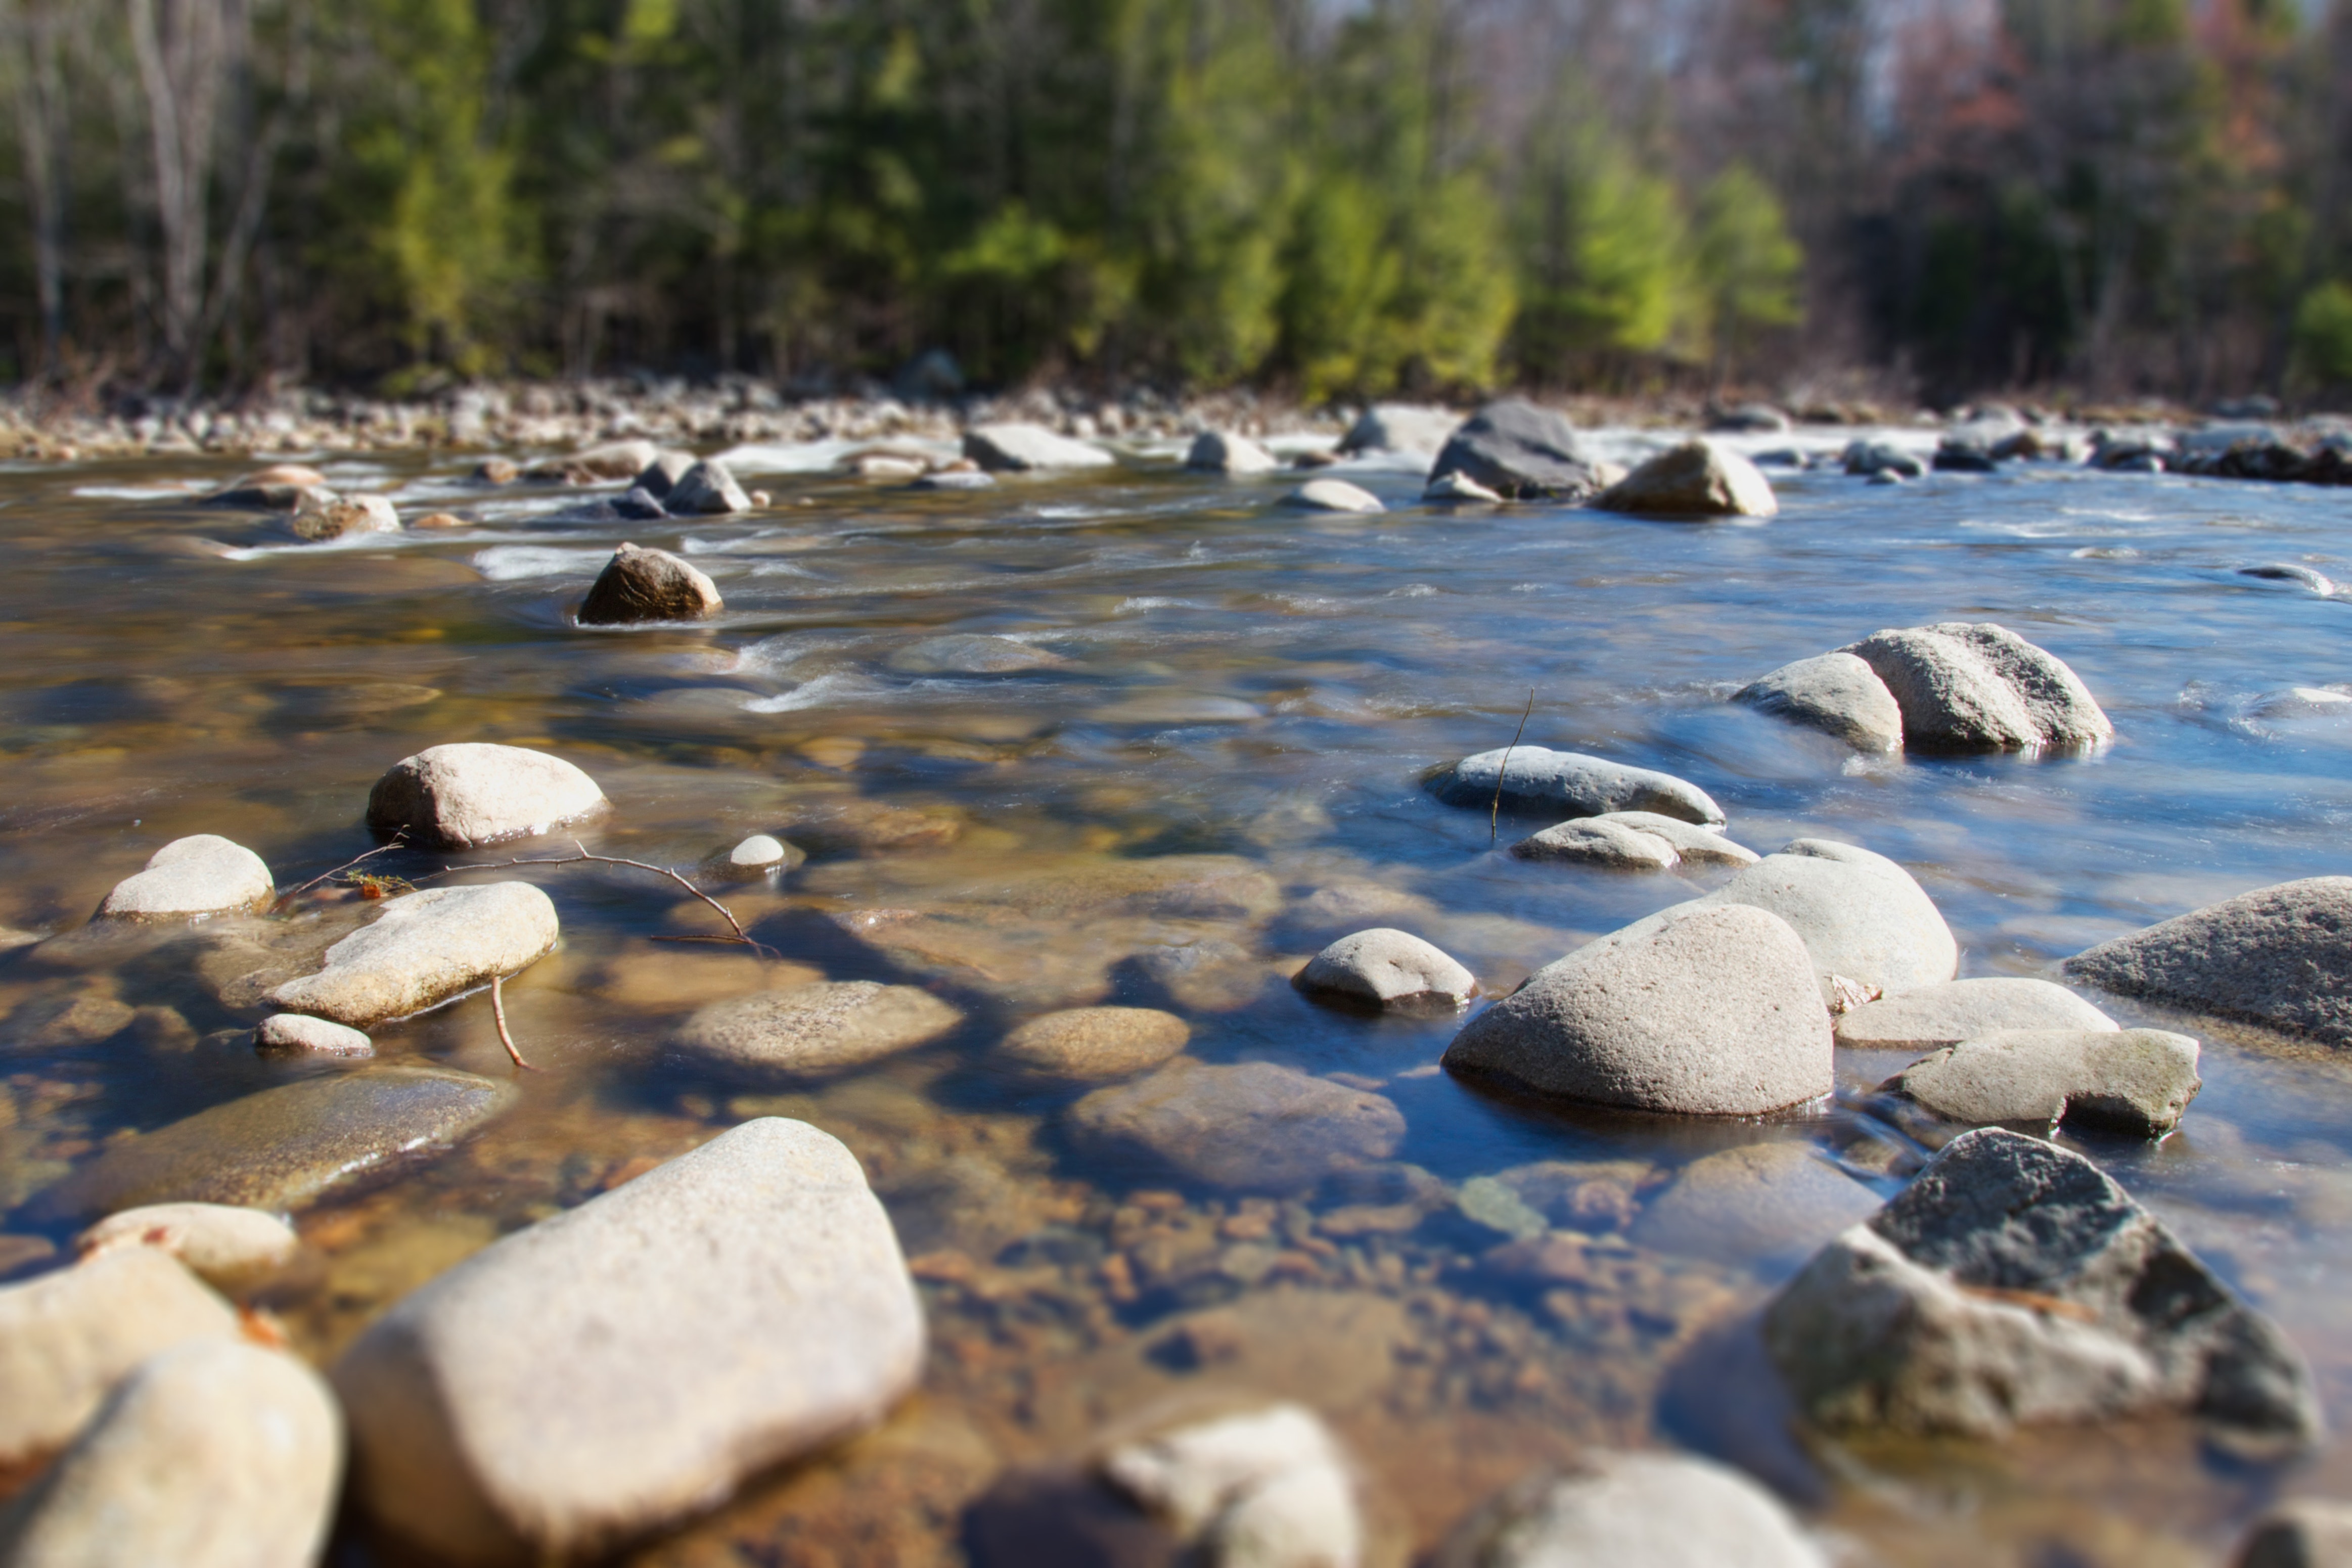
[690, 986]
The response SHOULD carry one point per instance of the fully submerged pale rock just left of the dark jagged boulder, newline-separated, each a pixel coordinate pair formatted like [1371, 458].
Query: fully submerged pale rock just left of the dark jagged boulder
[1770, 1202]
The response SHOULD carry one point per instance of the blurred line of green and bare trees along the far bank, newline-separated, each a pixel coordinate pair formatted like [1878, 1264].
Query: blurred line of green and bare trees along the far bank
[1339, 199]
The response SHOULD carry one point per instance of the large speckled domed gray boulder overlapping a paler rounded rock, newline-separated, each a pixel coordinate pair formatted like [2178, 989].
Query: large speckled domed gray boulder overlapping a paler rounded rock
[1702, 1012]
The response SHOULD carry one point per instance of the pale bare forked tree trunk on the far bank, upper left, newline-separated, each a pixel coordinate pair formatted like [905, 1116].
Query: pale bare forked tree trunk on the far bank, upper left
[187, 53]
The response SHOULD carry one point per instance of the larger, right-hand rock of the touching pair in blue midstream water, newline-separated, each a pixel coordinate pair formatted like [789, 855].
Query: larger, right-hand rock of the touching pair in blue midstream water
[1979, 688]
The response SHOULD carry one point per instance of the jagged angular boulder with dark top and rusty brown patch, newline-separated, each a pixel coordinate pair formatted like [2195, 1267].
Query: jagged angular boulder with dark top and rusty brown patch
[2014, 1285]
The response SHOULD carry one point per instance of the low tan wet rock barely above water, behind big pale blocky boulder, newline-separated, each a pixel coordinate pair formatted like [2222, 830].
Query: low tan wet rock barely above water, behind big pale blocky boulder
[820, 1028]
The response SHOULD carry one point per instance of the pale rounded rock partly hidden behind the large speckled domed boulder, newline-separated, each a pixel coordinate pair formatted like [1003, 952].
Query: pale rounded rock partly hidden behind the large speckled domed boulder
[1859, 913]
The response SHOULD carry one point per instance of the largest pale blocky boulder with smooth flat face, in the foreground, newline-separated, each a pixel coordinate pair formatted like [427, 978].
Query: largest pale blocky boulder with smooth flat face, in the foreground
[629, 1362]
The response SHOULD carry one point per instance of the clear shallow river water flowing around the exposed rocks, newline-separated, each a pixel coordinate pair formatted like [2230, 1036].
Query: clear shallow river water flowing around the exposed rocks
[1257, 695]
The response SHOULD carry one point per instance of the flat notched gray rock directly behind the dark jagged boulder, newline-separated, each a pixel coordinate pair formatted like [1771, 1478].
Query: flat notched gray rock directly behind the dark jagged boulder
[2134, 1083]
